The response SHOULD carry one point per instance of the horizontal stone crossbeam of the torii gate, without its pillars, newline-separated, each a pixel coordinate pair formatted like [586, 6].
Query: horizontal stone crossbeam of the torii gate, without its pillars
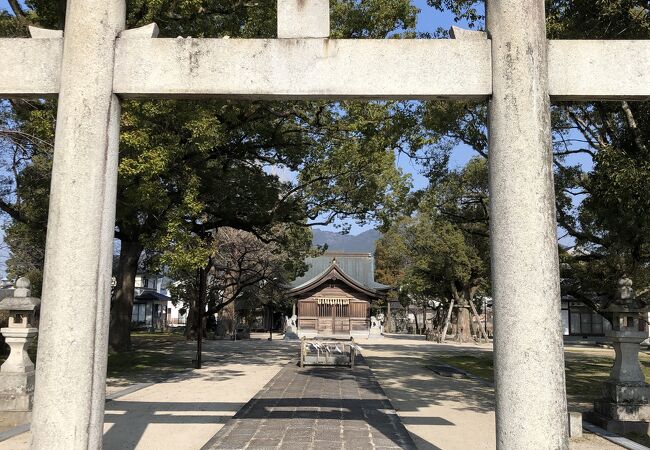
[323, 68]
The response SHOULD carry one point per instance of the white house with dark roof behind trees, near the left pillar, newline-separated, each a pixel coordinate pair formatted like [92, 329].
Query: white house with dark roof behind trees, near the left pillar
[152, 306]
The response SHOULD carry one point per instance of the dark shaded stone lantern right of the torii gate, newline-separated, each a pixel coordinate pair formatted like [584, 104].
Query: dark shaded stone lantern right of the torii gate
[625, 406]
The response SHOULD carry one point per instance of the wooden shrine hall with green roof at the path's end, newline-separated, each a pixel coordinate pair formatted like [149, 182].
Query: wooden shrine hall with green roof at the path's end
[334, 295]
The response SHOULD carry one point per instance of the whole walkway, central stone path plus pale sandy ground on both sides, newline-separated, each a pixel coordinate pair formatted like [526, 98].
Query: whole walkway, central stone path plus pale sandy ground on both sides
[317, 407]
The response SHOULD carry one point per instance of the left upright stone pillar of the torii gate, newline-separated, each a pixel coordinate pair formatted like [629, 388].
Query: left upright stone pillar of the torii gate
[71, 368]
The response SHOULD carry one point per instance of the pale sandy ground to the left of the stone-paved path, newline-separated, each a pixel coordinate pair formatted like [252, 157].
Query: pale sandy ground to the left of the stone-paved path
[184, 412]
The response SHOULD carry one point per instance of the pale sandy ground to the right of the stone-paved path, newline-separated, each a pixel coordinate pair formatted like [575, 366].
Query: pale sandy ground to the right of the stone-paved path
[441, 412]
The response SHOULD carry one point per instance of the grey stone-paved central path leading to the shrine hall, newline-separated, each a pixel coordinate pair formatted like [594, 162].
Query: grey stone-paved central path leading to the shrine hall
[316, 408]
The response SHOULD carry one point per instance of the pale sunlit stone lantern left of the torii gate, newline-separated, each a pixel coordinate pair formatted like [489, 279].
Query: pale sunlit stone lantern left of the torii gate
[17, 372]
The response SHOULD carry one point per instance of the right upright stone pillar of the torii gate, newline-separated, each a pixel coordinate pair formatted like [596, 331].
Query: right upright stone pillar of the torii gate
[528, 349]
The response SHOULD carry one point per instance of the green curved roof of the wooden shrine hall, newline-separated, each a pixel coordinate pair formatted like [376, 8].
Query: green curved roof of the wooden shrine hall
[359, 266]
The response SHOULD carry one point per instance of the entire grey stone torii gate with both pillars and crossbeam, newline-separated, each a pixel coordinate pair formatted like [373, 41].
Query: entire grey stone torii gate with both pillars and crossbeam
[97, 63]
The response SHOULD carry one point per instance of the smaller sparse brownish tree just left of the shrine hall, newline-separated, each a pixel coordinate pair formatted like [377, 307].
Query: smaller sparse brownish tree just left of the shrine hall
[239, 265]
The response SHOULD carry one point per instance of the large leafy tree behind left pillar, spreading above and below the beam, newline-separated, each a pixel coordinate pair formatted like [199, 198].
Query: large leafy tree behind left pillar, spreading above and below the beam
[167, 147]
